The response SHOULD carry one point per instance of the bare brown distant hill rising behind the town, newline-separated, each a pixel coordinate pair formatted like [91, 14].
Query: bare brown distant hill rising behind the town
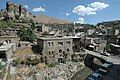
[49, 20]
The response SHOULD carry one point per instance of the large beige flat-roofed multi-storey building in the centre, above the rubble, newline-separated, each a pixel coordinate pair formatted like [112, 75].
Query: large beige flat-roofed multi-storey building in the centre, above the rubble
[56, 49]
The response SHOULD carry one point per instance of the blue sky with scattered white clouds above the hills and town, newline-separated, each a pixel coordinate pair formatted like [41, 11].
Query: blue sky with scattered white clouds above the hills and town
[80, 11]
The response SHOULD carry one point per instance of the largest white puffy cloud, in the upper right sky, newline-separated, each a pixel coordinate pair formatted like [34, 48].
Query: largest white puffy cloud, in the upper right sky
[90, 9]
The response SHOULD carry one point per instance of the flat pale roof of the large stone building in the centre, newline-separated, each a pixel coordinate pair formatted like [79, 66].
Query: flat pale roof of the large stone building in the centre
[55, 38]
